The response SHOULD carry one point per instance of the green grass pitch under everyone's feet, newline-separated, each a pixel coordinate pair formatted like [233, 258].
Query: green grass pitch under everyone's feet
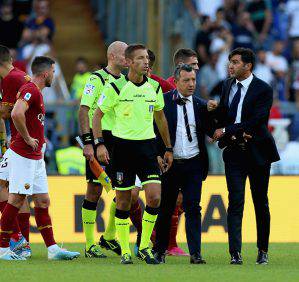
[283, 266]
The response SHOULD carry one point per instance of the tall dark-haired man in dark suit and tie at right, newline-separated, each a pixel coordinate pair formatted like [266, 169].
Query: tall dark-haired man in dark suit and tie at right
[249, 149]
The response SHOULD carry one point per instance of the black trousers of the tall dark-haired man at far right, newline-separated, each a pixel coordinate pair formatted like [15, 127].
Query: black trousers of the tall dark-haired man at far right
[238, 166]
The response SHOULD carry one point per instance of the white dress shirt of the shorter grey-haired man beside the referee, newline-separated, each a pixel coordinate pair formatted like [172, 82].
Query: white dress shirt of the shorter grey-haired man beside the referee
[183, 148]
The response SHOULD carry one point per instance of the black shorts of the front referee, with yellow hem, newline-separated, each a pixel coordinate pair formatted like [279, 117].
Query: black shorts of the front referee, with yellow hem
[131, 158]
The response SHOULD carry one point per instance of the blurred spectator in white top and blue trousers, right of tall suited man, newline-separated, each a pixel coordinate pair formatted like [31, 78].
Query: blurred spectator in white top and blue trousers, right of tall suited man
[279, 66]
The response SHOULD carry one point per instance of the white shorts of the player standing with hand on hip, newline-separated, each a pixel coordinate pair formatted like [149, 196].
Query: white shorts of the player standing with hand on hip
[26, 176]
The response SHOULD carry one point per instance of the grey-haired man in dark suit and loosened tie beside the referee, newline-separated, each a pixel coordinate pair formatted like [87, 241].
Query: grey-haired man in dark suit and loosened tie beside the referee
[187, 120]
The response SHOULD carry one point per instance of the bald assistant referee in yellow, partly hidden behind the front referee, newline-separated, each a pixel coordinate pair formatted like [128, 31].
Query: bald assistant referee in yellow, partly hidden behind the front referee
[91, 94]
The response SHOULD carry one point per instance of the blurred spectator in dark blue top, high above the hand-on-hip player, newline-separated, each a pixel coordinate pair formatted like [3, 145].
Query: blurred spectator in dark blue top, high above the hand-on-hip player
[40, 23]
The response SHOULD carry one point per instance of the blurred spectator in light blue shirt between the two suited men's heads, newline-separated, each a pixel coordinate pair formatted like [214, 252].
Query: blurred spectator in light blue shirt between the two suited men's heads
[209, 76]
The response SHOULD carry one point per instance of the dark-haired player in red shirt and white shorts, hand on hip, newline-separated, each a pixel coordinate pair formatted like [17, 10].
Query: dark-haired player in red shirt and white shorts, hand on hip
[27, 172]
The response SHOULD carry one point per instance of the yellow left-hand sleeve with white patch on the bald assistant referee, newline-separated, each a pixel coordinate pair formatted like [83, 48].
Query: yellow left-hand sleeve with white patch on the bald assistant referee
[92, 91]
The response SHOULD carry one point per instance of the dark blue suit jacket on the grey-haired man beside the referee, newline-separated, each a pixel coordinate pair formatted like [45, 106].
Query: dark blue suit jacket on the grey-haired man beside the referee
[203, 125]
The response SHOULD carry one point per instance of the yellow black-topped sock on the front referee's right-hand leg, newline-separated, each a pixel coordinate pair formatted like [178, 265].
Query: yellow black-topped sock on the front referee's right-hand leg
[148, 222]
